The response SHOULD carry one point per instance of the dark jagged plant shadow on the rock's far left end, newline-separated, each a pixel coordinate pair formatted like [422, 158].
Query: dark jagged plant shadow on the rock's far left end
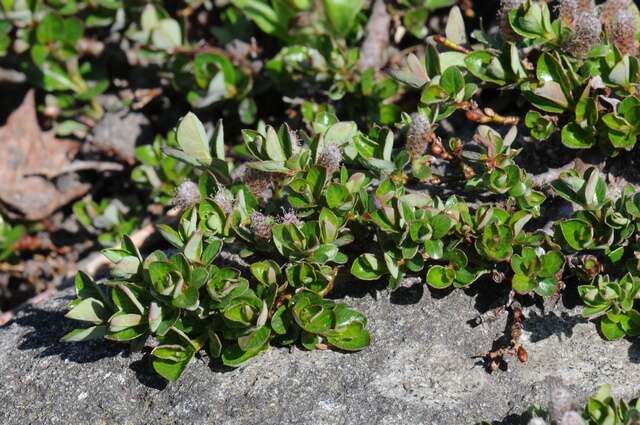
[47, 329]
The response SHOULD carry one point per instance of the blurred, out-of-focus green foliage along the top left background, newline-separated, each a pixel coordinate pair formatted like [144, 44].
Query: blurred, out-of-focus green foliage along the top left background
[75, 50]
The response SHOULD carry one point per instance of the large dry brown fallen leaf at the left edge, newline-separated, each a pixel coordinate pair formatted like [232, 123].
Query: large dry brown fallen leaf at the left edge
[28, 158]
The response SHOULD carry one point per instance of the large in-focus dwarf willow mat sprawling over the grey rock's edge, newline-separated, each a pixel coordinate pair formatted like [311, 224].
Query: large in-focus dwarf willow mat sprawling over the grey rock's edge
[355, 210]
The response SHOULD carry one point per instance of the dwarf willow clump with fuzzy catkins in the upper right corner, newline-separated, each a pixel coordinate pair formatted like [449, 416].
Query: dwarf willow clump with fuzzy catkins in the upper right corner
[578, 72]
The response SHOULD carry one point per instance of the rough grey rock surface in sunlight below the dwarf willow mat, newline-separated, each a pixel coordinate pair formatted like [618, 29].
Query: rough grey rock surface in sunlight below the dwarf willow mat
[418, 370]
